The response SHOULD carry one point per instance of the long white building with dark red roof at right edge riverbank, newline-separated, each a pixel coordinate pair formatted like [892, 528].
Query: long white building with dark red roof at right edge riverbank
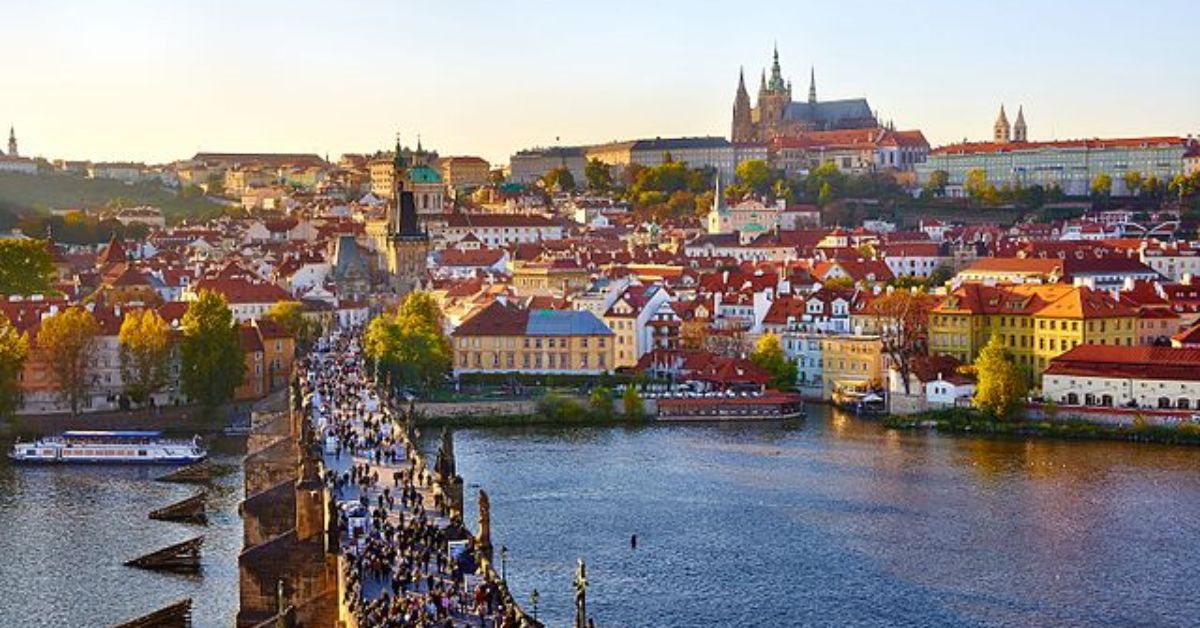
[1125, 378]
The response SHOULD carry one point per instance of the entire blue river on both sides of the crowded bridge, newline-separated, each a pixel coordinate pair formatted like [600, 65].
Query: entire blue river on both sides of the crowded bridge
[830, 522]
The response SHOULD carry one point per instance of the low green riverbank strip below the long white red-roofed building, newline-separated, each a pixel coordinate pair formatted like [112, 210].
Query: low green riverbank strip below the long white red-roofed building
[959, 421]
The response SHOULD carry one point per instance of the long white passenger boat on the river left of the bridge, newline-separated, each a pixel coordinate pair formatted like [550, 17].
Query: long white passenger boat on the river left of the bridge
[111, 447]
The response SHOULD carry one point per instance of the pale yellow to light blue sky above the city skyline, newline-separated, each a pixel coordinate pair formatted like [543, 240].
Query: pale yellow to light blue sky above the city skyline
[154, 82]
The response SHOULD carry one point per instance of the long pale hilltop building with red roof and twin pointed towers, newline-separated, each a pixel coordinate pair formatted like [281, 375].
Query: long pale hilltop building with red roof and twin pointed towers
[1071, 166]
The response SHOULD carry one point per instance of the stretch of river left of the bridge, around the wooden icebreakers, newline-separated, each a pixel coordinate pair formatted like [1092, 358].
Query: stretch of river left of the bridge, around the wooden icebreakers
[65, 533]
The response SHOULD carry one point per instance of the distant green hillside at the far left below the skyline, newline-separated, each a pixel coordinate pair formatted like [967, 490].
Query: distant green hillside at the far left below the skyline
[25, 194]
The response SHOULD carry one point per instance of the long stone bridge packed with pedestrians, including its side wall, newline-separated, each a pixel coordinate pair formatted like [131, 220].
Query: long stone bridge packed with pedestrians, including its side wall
[347, 524]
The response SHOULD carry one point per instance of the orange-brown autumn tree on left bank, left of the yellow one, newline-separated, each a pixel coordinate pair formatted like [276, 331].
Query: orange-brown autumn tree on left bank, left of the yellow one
[69, 342]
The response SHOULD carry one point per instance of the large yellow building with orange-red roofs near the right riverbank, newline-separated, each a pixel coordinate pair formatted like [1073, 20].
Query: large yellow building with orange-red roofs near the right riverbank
[1035, 322]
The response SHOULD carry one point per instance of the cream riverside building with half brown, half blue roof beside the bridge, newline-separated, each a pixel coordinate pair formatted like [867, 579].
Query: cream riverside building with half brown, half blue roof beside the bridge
[503, 338]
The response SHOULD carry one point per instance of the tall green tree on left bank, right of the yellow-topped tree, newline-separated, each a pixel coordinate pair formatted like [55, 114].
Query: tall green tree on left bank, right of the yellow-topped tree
[212, 361]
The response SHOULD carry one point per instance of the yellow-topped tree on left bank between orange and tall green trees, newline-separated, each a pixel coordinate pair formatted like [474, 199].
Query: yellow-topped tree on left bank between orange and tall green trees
[146, 355]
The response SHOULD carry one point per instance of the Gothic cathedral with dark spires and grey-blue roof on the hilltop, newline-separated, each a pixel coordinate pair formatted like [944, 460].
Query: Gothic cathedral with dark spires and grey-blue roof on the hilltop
[778, 116]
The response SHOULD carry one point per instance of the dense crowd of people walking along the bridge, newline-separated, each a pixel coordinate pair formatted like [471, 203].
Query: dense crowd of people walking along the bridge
[397, 535]
